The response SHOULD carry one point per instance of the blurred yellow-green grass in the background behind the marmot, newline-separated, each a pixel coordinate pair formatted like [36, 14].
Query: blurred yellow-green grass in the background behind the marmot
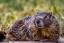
[10, 10]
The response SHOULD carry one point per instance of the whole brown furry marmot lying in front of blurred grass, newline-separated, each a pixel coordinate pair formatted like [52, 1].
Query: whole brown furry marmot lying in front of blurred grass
[41, 26]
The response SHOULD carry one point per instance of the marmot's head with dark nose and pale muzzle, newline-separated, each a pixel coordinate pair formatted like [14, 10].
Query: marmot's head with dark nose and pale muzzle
[43, 19]
